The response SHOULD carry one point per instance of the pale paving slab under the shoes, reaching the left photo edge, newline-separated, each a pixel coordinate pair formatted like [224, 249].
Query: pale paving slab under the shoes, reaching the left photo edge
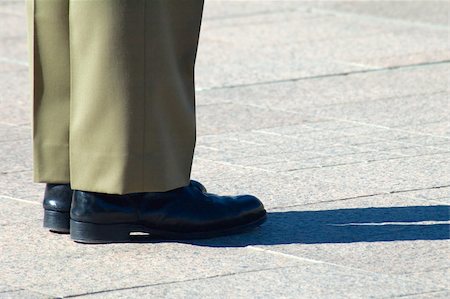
[107, 267]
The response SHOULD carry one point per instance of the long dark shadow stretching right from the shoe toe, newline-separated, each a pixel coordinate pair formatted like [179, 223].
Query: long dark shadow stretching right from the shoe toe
[380, 224]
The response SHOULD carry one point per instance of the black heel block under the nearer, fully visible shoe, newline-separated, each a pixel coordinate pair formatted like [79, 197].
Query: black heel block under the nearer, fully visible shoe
[99, 233]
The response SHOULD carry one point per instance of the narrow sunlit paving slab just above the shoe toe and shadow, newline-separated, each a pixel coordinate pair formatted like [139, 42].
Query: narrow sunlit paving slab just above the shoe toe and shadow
[314, 184]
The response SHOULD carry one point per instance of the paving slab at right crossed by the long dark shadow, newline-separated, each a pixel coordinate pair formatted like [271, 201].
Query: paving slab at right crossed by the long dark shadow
[381, 234]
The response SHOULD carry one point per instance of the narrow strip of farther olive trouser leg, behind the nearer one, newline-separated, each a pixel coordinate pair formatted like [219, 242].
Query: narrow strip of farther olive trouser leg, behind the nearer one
[48, 41]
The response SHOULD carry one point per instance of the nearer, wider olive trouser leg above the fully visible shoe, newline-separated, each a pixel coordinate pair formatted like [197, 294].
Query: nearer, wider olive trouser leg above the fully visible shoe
[132, 112]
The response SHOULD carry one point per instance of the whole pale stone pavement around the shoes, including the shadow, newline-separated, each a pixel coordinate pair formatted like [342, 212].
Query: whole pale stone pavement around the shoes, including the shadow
[335, 114]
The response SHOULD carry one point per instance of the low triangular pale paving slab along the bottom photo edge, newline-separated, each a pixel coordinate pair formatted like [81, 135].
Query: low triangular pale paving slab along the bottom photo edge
[306, 281]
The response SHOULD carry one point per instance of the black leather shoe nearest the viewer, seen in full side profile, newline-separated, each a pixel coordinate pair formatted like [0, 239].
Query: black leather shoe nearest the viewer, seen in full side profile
[183, 213]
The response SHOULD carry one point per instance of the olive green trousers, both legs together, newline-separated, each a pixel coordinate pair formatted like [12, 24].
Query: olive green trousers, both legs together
[113, 92]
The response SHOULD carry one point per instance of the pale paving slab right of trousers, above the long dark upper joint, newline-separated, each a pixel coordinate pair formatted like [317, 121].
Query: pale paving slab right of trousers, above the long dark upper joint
[320, 44]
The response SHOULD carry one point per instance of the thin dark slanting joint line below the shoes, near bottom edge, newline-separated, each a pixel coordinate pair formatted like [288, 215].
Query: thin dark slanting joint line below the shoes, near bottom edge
[178, 281]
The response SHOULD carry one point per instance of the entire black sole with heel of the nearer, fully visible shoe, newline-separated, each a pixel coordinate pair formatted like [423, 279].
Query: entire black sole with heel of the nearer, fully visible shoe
[91, 233]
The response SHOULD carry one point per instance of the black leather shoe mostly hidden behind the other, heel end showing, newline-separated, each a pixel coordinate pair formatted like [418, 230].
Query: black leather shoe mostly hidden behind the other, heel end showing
[57, 201]
